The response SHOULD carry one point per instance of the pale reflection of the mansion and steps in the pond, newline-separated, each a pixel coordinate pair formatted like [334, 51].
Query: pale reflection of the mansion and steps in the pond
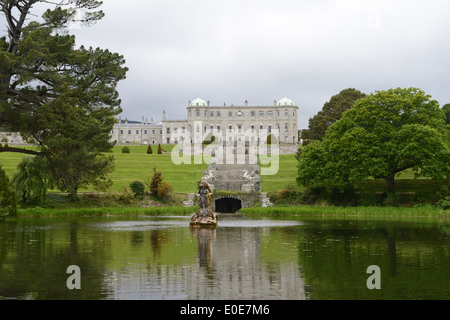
[229, 267]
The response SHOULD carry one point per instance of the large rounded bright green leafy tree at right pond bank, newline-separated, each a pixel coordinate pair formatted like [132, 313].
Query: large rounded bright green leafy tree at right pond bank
[382, 135]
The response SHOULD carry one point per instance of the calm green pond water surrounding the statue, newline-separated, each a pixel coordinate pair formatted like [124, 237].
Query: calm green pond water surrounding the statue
[272, 259]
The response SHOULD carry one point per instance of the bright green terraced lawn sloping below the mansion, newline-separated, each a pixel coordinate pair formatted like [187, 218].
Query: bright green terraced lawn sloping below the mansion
[138, 165]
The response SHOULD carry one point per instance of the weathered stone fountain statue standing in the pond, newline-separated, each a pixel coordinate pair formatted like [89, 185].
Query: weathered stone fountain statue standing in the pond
[204, 217]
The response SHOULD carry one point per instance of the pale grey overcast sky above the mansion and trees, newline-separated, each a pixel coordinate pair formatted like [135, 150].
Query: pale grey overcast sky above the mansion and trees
[260, 50]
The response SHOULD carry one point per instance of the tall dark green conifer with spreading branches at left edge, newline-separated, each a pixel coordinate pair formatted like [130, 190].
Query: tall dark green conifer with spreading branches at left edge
[63, 97]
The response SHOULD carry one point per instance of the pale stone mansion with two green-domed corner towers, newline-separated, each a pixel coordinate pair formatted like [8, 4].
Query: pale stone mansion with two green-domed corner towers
[280, 119]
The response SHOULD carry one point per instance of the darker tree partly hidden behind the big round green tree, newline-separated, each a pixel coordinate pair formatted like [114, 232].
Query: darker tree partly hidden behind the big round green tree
[331, 112]
